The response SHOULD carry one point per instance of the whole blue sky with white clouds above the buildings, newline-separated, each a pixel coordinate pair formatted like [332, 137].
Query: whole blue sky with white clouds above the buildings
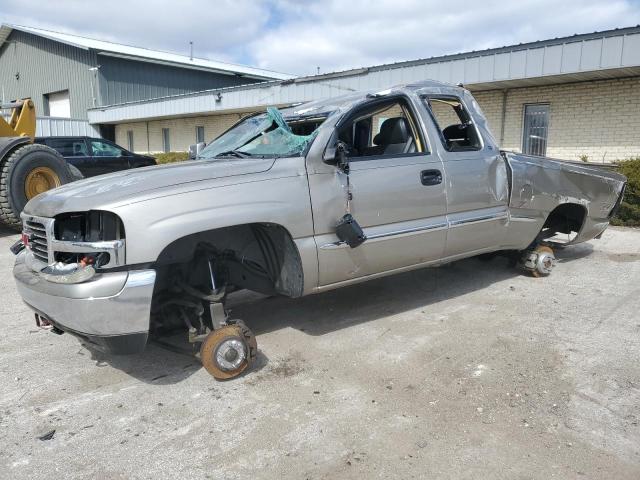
[299, 36]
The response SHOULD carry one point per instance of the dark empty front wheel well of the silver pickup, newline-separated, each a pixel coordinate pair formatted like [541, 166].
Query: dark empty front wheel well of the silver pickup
[259, 256]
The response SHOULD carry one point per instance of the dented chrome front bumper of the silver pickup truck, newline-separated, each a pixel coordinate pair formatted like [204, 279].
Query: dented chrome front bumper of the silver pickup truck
[110, 311]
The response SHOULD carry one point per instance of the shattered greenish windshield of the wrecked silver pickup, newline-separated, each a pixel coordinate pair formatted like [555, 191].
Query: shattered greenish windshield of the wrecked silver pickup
[264, 135]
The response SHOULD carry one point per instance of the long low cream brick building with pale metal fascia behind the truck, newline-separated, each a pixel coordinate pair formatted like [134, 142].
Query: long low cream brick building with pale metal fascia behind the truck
[574, 97]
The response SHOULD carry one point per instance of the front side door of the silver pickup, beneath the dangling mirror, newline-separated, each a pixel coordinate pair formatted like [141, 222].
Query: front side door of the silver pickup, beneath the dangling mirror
[398, 194]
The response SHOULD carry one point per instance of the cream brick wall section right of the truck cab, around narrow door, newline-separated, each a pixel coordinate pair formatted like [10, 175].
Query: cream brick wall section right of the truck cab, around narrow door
[599, 119]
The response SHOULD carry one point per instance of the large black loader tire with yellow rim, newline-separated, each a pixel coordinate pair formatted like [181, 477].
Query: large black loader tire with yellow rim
[27, 171]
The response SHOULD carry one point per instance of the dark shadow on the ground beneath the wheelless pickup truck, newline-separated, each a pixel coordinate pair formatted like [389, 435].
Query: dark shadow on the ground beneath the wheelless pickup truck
[174, 360]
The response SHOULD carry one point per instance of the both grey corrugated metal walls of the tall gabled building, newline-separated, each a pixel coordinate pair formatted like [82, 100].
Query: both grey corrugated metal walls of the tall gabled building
[45, 66]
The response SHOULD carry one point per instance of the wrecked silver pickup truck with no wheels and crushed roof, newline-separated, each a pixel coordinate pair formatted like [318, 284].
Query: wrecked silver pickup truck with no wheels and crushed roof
[294, 202]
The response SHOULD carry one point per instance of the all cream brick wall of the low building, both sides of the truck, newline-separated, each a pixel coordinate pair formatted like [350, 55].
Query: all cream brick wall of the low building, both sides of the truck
[599, 119]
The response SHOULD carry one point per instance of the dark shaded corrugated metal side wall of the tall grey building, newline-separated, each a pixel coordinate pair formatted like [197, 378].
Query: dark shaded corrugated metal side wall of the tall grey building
[124, 80]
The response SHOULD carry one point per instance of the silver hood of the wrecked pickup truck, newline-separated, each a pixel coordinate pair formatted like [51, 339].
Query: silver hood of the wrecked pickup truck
[130, 186]
